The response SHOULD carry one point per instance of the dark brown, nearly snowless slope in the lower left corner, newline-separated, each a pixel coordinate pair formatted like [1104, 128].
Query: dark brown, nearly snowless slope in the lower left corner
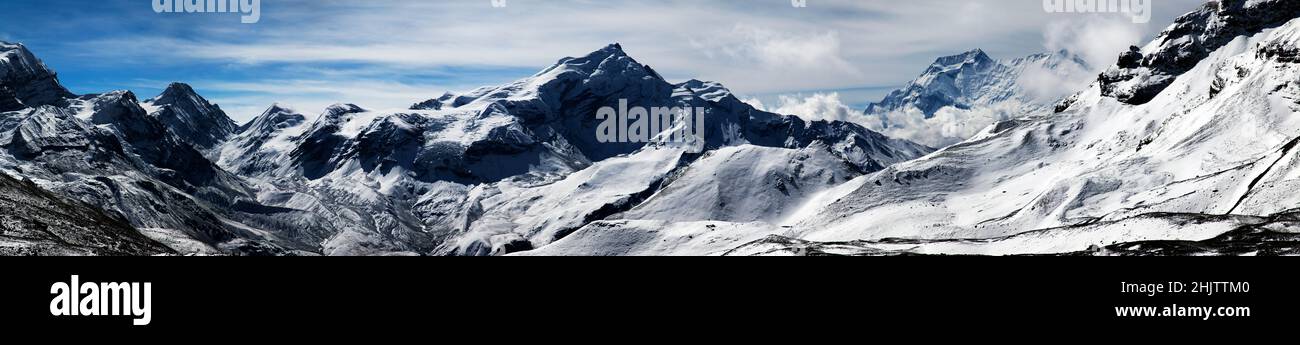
[34, 222]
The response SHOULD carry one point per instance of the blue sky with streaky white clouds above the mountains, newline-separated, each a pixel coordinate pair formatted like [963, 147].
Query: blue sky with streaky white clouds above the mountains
[311, 54]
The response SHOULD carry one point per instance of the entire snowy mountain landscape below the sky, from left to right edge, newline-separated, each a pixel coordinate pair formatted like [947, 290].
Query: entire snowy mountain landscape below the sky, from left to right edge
[1186, 146]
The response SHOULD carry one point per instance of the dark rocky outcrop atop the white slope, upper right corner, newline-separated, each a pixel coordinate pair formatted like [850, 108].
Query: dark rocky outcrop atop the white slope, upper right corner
[1139, 76]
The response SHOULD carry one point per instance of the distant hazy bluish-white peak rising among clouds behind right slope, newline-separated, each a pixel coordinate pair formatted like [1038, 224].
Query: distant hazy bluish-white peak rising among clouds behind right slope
[974, 80]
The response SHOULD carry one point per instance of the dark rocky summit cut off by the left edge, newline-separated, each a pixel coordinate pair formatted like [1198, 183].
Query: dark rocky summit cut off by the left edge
[25, 81]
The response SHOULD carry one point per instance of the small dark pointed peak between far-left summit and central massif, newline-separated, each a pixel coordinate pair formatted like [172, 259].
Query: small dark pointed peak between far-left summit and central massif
[192, 118]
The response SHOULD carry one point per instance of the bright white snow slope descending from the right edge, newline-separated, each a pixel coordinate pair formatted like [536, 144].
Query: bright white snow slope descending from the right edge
[1217, 140]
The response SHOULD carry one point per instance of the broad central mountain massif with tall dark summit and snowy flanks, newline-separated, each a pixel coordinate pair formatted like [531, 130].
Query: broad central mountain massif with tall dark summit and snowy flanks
[517, 167]
